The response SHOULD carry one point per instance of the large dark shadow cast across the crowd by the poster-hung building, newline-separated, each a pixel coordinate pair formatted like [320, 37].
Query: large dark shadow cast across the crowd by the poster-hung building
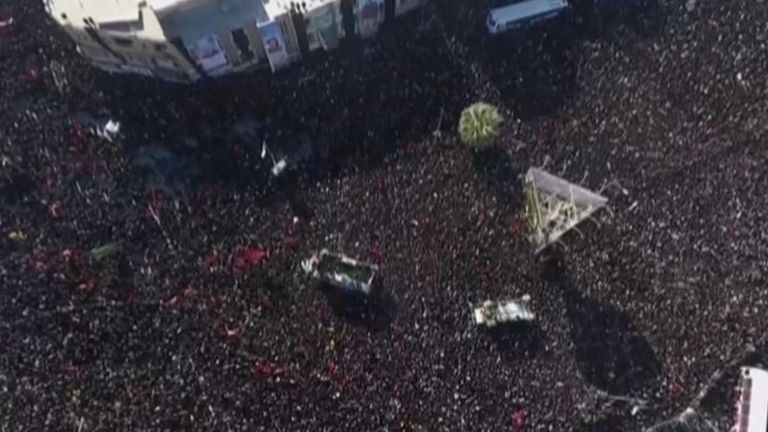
[356, 103]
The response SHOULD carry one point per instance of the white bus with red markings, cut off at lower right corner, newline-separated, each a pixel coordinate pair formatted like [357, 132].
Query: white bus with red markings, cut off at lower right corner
[752, 406]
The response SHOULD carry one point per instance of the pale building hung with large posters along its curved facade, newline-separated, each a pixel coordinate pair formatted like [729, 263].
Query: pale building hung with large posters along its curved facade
[185, 40]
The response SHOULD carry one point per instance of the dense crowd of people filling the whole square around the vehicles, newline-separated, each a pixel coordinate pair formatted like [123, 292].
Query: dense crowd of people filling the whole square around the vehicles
[200, 318]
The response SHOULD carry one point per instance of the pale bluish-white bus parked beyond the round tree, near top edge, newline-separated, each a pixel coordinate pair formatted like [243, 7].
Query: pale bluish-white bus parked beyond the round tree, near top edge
[519, 14]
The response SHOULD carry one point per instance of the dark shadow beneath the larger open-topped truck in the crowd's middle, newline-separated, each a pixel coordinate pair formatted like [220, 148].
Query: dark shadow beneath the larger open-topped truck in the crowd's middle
[375, 311]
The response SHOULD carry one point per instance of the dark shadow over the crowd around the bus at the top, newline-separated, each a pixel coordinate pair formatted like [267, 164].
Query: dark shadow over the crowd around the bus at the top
[535, 68]
